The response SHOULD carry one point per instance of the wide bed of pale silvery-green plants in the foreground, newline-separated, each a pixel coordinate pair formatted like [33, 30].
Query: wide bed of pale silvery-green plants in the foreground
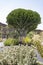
[18, 55]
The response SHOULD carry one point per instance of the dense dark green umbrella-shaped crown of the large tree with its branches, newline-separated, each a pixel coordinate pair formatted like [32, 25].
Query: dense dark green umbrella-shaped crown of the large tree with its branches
[23, 20]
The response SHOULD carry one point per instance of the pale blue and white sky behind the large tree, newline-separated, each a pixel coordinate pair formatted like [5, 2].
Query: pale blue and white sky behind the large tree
[6, 6]
